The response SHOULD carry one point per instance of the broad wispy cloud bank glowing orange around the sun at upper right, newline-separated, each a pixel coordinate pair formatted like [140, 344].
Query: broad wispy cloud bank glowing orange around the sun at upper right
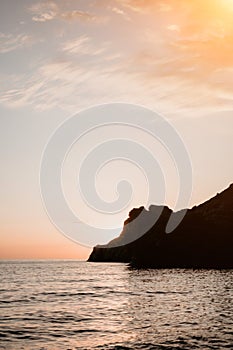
[177, 58]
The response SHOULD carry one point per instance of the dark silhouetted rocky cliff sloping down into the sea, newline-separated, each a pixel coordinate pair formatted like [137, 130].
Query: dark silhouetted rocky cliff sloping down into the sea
[204, 239]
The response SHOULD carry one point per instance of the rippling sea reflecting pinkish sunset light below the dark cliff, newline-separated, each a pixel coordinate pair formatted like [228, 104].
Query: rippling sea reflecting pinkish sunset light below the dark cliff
[79, 305]
